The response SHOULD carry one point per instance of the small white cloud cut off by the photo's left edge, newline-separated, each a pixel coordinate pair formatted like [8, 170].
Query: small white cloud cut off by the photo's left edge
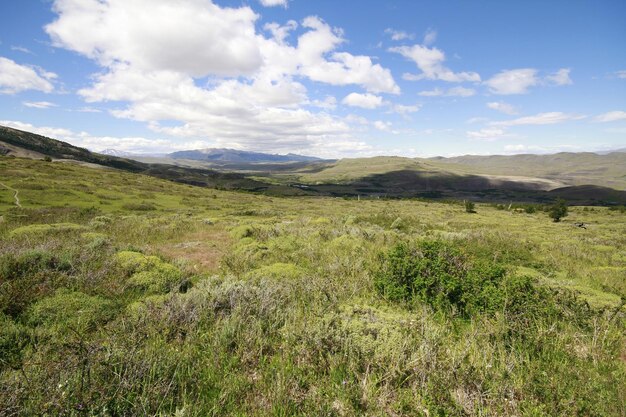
[15, 78]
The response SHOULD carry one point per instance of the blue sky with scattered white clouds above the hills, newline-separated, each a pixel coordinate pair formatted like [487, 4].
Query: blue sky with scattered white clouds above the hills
[323, 78]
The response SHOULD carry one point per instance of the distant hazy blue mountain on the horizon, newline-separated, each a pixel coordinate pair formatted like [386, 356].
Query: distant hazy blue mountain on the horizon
[229, 156]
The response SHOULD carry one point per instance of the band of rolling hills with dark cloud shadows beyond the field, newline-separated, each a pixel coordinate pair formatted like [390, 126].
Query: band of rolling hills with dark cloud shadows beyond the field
[579, 178]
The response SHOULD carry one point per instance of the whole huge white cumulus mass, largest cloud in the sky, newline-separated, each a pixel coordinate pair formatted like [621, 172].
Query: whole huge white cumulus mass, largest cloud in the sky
[195, 69]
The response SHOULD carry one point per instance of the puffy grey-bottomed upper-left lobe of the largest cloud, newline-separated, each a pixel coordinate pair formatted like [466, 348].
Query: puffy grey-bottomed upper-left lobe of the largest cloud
[195, 37]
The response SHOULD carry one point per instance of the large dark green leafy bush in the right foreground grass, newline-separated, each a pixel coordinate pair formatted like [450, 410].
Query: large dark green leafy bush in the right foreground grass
[439, 274]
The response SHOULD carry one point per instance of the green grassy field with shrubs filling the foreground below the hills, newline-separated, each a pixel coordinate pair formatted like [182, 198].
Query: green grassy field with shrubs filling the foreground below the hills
[123, 294]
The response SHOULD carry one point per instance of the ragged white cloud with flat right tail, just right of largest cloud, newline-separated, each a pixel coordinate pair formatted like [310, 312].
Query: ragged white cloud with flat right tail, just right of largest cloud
[430, 62]
